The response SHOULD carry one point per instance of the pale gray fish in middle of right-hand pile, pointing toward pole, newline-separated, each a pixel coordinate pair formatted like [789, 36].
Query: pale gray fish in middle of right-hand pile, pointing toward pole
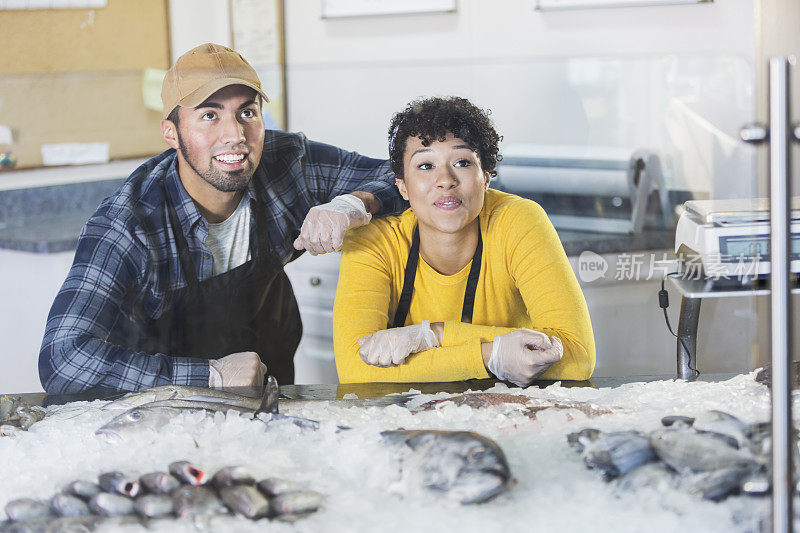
[687, 450]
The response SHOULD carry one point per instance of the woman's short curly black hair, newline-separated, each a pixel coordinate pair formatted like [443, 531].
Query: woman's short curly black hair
[430, 119]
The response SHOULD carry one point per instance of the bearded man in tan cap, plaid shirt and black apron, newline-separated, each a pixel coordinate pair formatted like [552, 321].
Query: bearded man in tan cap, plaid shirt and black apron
[178, 276]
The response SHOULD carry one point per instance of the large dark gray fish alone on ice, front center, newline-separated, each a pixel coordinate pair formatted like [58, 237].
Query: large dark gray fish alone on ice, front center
[461, 466]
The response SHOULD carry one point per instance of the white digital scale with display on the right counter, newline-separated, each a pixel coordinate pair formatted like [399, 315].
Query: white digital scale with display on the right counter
[730, 238]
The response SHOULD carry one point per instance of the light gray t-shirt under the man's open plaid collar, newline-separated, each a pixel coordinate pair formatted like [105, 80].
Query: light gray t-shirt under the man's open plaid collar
[229, 240]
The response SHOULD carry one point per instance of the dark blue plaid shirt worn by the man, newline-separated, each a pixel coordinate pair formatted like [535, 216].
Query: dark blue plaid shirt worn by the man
[126, 263]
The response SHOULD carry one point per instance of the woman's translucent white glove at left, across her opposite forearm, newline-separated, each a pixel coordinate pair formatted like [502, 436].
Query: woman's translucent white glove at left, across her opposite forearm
[390, 346]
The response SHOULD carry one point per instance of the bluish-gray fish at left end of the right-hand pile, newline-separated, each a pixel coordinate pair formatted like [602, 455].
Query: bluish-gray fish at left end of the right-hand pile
[618, 453]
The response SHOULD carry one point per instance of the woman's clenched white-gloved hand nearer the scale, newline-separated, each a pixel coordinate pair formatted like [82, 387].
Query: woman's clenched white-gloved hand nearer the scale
[522, 355]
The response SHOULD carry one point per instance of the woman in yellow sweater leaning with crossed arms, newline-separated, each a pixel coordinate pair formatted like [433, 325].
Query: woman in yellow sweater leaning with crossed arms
[469, 281]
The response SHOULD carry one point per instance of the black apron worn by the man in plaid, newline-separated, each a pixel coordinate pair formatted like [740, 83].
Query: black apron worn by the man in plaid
[249, 308]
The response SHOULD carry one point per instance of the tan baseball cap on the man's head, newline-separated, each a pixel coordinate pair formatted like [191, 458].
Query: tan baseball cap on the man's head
[201, 72]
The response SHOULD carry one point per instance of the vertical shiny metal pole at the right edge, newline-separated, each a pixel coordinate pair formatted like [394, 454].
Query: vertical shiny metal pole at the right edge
[779, 283]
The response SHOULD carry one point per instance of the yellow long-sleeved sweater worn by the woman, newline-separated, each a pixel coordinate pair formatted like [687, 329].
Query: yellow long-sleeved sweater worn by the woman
[525, 282]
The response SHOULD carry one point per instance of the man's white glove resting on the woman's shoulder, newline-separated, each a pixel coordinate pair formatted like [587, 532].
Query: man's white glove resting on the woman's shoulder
[324, 226]
